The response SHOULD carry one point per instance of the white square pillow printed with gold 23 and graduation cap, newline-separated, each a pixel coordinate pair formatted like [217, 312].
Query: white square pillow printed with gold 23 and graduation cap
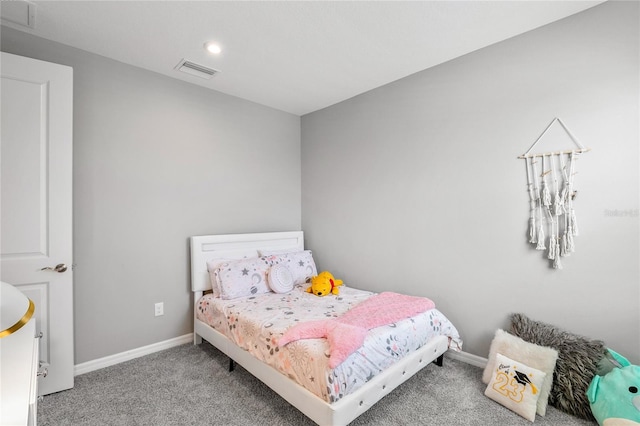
[516, 386]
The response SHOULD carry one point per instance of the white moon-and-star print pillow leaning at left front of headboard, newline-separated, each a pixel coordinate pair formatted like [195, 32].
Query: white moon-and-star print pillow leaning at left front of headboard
[242, 278]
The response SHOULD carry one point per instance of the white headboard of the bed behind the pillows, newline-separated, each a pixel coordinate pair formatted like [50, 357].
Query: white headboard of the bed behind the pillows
[207, 247]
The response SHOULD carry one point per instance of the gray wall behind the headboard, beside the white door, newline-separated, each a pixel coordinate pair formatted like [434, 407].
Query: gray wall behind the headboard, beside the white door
[157, 160]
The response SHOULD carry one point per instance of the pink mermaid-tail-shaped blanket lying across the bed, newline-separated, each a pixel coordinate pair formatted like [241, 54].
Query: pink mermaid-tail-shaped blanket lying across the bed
[347, 333]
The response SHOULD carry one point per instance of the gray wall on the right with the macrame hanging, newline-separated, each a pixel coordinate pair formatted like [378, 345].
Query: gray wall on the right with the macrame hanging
[415, 186]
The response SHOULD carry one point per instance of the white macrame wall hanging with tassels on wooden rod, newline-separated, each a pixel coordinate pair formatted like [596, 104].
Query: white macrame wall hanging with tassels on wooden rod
[550, 183]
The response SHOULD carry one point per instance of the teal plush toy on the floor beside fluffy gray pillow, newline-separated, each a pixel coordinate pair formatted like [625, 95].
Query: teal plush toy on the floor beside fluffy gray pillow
[615, 396]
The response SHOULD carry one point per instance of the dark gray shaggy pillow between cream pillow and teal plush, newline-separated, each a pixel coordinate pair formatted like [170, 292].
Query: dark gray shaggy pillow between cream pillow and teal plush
[577, 362]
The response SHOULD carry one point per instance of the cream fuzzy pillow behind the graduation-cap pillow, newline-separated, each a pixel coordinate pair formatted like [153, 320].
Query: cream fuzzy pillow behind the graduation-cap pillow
[539, 357]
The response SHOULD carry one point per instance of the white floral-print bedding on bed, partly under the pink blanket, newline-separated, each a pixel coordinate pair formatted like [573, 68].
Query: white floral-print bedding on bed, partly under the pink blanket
[256, 323]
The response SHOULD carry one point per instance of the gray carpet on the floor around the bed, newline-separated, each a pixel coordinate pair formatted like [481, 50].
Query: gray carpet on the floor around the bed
[190, 385]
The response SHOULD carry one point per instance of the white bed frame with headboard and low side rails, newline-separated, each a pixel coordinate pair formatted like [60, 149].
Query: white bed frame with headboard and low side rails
[342, 412]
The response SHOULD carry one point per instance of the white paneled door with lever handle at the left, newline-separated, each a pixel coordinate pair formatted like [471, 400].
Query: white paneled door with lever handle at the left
[36, 203]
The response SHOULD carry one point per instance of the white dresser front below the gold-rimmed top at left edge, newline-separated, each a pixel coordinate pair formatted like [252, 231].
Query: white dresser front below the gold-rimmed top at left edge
[18, 377]
